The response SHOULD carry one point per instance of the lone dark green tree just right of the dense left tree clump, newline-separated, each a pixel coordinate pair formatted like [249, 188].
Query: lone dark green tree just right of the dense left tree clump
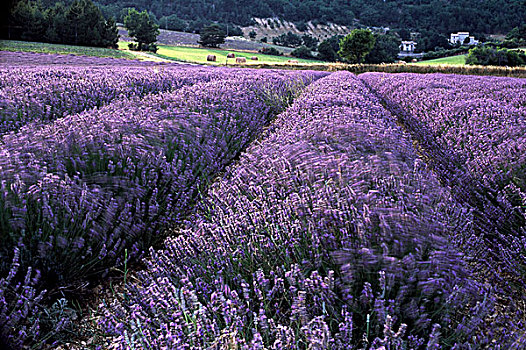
[142, 28]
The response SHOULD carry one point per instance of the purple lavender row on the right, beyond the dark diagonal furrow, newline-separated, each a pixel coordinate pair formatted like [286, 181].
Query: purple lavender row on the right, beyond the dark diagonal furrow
[473, 130]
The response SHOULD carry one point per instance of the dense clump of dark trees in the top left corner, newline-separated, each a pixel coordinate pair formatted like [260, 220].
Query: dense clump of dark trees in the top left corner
[79, 23]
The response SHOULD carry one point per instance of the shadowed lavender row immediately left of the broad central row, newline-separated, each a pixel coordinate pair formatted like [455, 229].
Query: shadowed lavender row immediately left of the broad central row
[82, 193]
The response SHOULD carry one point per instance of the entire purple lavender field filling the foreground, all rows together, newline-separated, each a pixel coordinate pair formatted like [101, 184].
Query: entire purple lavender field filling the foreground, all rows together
[260, 209]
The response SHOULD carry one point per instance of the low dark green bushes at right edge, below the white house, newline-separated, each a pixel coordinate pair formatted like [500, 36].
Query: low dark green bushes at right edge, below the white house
[490, 56]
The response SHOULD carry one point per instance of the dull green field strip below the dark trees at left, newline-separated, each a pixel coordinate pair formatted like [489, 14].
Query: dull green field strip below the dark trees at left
[27, 46]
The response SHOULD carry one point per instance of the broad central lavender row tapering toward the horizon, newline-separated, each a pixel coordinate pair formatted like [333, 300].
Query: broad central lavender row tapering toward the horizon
[329, 233]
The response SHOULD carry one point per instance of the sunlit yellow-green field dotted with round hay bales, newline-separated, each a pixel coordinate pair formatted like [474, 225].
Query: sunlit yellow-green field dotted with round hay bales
[198, 55]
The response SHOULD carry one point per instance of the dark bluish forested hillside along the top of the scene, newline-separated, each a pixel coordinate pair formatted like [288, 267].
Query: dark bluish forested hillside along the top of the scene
[444, 16]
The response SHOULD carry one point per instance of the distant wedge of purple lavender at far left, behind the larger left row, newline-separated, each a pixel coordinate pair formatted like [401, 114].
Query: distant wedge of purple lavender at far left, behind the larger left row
[41, 94]
